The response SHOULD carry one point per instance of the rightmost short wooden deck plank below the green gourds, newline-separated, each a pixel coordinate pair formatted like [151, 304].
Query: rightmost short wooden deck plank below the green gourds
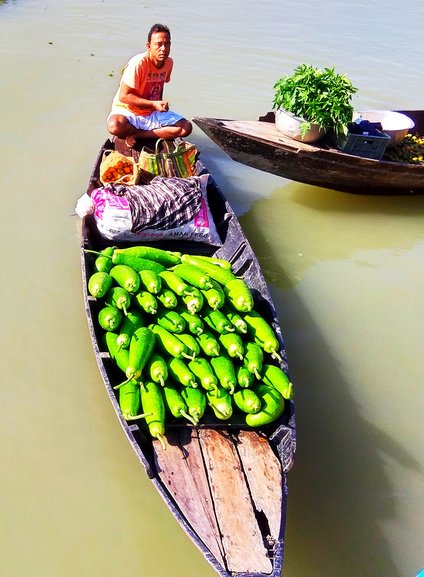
[263, 472]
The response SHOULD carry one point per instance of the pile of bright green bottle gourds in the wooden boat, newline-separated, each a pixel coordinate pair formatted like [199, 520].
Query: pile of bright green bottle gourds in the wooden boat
[184, 331]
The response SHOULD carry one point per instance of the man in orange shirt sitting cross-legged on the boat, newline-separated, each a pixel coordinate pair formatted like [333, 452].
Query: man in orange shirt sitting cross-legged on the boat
[138, 108]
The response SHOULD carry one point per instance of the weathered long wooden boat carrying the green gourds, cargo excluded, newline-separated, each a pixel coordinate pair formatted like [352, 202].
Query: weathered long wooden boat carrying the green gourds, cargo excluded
[226, 484]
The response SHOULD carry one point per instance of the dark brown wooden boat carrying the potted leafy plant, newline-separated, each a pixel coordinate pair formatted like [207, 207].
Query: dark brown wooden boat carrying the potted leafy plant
[258, 144]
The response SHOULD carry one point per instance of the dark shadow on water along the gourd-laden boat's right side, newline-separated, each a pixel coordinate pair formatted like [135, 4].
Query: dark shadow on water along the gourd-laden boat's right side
[340, 491]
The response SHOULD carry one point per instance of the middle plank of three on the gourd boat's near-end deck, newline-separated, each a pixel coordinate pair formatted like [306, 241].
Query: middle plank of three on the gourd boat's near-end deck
[241, 535]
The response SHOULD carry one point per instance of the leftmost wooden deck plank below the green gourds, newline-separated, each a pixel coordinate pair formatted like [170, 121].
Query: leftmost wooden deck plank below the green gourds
[181, 469]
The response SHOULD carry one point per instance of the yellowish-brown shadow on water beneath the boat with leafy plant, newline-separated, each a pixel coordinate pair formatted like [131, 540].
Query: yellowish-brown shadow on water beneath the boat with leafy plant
[333, 225]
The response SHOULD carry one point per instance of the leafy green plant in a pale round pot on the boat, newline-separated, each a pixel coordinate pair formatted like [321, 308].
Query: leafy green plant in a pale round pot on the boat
[313, 101]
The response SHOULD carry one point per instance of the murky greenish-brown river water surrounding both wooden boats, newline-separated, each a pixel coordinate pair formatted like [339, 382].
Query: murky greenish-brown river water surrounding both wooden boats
[346, 273]
